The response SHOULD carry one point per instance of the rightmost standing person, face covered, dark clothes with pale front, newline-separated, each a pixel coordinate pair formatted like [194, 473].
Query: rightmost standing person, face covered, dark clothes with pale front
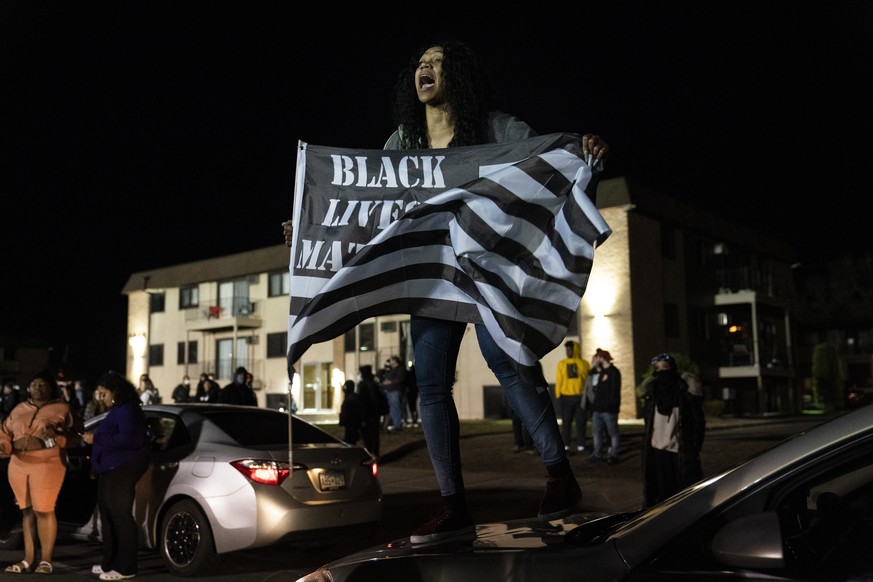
[674, 430]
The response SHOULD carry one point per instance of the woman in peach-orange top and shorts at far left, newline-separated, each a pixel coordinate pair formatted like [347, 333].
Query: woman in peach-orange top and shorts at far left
[34, 434]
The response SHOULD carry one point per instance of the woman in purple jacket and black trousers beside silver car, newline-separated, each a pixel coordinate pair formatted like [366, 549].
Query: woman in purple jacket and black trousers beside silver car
[119, 457]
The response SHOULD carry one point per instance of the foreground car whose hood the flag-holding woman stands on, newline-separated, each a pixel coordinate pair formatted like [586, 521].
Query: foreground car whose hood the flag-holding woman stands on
[799, 510]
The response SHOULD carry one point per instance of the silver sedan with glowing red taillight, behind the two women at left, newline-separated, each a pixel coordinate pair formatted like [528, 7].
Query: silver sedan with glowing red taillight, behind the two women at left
[221, 479]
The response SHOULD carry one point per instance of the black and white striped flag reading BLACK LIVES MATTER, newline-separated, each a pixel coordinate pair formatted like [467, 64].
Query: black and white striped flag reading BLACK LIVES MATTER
[499, 234]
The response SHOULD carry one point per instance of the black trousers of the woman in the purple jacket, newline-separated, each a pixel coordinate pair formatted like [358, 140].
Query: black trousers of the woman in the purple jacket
[115, 494]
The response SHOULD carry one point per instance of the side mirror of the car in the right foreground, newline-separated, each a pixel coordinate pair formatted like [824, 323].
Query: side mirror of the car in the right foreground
[753, 541]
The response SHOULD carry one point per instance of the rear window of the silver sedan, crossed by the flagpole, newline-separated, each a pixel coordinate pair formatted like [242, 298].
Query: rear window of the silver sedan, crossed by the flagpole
[257, 429]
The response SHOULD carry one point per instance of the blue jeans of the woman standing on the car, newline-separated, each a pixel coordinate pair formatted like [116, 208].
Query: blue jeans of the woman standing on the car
[436, 343]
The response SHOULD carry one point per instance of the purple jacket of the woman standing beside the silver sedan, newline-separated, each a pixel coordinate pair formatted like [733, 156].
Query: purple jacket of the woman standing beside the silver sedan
[121, 438]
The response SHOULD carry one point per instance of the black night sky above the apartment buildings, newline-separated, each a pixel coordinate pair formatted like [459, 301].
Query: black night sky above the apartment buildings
[138, 135]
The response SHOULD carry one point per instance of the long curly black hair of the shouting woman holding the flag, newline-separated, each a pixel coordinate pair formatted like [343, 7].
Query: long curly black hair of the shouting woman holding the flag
[467, 89]
